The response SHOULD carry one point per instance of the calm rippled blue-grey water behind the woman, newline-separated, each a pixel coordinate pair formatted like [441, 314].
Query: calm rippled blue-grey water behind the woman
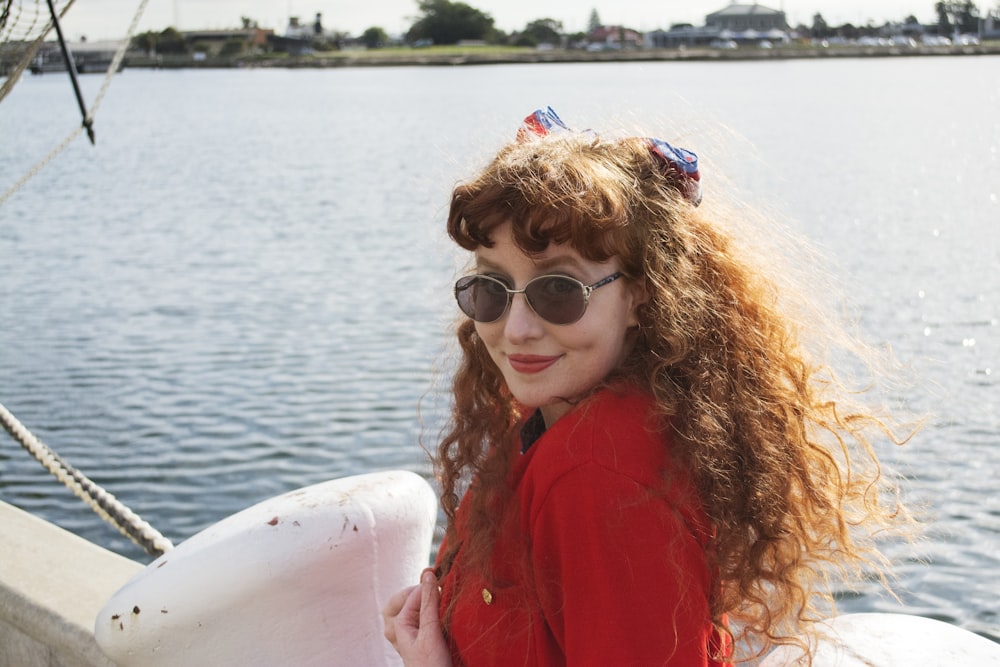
[244, 287]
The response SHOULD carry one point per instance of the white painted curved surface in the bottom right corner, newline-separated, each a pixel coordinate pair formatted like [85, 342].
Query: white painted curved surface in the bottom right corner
[892, 640]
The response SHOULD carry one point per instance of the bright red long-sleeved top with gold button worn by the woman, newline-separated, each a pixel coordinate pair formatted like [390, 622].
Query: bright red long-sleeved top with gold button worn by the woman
[597, 561]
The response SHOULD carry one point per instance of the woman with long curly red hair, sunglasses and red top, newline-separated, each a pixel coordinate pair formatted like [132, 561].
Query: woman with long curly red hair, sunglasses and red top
[660, 471]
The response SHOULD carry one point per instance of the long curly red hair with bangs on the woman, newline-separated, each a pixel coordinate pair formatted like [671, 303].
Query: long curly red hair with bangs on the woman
[780, 451]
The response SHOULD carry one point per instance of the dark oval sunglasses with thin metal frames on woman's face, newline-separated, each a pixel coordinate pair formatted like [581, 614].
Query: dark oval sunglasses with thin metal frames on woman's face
[556, 299]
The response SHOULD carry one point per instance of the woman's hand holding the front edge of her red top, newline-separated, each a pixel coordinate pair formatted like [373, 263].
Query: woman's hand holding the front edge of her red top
[413, 624]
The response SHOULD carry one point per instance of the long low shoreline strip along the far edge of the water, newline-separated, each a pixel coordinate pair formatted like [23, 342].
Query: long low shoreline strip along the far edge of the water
[486, 56]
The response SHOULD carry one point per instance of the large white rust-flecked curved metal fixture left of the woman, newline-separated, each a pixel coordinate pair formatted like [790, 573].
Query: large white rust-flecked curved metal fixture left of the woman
[299, 579]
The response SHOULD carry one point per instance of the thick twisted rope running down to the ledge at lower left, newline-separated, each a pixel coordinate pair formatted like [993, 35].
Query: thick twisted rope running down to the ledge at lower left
[103, 503]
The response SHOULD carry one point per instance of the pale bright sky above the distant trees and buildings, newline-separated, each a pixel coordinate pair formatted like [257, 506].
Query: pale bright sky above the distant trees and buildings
[109, 19]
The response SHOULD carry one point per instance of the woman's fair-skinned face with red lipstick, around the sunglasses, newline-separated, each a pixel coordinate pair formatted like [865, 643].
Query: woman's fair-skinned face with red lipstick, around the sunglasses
[545, 365]
